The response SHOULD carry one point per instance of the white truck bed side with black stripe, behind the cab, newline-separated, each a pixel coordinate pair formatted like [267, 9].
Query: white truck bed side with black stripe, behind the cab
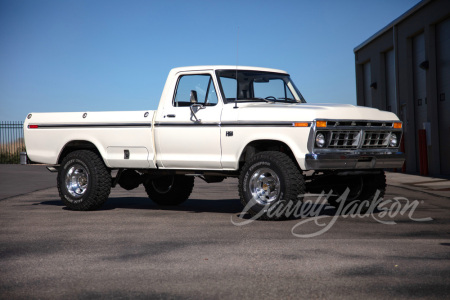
[123, 138]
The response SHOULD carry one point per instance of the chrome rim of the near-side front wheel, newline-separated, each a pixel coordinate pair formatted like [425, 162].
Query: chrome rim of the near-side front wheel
[264, 185]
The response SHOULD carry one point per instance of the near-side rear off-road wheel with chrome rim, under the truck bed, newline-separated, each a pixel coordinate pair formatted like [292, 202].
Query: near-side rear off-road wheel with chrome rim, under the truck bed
[96, 176]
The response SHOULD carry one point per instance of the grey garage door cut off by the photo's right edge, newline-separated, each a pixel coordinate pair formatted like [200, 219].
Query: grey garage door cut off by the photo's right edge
[443, 92]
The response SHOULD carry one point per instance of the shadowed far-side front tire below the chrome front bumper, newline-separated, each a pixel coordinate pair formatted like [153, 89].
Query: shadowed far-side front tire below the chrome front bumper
[372, 185]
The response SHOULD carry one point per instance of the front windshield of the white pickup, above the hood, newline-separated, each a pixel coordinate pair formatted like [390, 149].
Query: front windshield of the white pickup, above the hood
[257, 86]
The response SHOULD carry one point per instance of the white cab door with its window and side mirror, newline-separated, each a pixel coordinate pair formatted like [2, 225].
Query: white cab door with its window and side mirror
[188, 136]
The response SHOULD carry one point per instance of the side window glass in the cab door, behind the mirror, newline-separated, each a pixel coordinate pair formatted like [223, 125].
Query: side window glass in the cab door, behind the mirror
[200, 85]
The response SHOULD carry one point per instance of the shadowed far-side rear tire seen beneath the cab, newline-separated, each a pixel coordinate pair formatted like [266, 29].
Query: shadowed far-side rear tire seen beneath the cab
[169, 190]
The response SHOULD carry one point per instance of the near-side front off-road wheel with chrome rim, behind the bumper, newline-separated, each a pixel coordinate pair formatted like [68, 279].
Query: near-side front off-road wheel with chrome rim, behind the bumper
[282, 170]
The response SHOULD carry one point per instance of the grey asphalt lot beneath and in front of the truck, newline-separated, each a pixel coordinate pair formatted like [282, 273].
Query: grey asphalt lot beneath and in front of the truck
[132, 248]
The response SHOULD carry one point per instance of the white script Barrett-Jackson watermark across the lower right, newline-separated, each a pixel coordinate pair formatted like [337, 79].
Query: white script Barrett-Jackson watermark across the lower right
[311, 211]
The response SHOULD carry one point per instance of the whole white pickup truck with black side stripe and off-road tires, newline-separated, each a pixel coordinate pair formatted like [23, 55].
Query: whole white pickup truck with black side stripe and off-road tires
[216, 122]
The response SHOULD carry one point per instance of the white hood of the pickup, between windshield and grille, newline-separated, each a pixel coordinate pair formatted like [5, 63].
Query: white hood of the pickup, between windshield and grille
[309, 112]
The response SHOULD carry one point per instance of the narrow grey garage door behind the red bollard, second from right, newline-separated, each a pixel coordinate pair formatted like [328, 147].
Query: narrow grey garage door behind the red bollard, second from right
[419, 86]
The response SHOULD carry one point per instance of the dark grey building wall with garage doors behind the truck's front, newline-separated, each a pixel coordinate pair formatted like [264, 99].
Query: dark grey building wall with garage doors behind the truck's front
[418, 46]
